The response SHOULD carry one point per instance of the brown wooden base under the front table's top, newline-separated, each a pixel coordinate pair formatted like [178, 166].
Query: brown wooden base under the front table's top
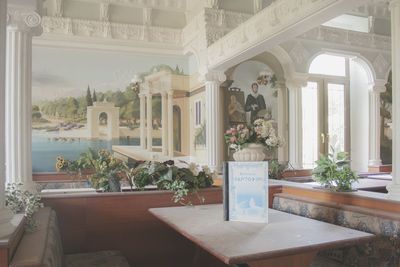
[296, 260]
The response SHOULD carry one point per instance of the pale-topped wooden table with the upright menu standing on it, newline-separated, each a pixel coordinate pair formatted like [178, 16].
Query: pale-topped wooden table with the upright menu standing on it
[287, 240]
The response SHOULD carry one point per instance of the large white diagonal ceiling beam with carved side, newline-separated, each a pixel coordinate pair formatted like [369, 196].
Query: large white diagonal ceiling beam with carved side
[274, 24]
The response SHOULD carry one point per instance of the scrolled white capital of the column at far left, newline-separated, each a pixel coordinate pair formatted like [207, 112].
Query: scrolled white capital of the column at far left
[25, 17]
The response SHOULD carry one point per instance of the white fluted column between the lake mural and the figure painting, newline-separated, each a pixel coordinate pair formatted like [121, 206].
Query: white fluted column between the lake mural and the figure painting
[214, 131]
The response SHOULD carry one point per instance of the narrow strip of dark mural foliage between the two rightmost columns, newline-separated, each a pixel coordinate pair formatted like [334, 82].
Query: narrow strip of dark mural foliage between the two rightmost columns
[386, 117]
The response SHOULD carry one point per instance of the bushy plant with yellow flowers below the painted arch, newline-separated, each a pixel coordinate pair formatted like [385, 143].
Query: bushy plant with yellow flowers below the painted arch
[104, 170]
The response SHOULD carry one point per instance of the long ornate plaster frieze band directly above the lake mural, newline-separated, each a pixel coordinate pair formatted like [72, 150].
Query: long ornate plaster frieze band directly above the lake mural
[108, 30]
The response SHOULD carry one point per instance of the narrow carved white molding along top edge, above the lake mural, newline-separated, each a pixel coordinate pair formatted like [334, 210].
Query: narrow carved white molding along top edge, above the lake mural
[174, 5]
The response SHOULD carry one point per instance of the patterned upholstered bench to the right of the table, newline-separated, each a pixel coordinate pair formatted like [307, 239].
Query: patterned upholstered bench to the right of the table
[384, 251]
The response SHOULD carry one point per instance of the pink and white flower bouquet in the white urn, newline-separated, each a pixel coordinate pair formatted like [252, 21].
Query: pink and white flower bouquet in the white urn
[260, 132]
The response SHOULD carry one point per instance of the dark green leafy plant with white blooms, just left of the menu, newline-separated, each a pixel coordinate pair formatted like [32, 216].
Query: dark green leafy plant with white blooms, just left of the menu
[167, 176]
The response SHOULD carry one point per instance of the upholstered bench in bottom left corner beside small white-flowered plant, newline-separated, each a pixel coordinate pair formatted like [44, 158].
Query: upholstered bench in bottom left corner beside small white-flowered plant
[43, 248]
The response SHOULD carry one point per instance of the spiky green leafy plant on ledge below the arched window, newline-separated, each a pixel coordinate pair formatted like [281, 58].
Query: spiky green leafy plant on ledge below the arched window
[333, 171]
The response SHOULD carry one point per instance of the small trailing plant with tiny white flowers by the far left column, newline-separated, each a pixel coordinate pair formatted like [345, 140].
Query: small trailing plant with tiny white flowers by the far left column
[23, 201]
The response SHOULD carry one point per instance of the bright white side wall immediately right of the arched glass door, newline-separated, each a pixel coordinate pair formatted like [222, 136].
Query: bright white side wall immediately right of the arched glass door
[359, 117]
